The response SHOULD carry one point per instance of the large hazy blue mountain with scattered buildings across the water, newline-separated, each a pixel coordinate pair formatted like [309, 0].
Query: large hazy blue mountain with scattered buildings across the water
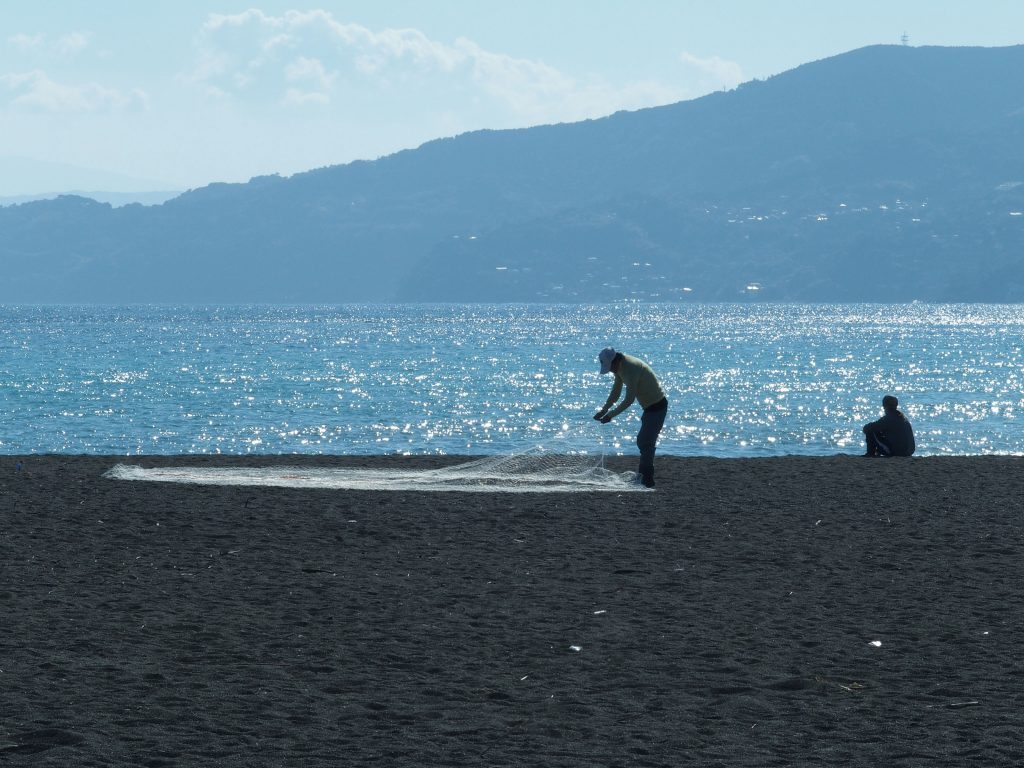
[889, 174]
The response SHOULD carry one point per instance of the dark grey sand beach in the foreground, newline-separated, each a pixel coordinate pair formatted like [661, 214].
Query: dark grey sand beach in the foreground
[793, 612]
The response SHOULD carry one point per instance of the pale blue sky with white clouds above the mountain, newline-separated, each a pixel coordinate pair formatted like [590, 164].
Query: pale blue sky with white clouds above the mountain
[181, 94]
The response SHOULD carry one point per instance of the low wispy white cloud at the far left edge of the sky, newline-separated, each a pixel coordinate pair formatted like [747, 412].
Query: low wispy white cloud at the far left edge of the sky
[35, 91]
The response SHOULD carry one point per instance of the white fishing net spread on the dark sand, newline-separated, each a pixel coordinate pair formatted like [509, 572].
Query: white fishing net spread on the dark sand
[533, 473]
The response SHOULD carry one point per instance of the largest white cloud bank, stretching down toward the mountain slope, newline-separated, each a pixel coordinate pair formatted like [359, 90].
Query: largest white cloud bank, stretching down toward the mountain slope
[310, 57]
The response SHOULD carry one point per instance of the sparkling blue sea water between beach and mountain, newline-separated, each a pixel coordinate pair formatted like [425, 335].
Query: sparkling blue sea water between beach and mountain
[743, 380]
